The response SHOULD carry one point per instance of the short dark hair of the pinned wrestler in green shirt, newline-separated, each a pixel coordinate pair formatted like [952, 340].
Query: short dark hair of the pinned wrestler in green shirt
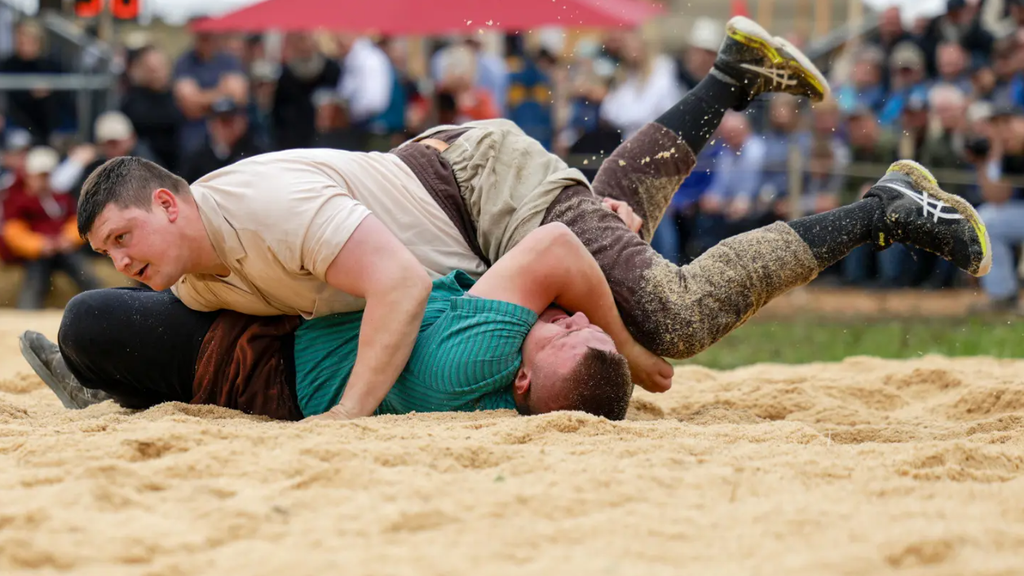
[601, 385]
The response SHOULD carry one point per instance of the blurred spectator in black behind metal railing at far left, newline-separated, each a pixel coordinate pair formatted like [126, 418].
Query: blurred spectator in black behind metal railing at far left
[40, 112]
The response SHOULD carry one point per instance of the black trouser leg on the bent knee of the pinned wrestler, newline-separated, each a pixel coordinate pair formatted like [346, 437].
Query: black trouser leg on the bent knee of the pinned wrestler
[139, 346]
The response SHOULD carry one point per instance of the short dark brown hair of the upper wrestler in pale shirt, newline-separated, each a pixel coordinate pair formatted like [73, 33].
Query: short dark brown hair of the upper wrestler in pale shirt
[125, 182]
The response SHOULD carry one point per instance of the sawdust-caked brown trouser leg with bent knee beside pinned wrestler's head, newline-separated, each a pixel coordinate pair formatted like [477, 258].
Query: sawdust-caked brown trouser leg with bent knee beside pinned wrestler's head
[677, 312]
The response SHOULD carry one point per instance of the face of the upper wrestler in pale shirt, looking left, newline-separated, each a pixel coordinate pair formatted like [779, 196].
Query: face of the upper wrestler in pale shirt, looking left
[145, 245]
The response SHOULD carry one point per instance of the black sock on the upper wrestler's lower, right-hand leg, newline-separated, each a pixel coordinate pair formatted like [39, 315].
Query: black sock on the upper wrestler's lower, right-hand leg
[833, 235]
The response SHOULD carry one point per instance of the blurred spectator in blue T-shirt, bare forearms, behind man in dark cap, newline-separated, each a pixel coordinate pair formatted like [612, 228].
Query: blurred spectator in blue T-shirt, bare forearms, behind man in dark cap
[203, 76]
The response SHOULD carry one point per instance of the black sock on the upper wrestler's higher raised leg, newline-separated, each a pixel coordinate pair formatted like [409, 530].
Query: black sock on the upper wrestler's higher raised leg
[697, 117]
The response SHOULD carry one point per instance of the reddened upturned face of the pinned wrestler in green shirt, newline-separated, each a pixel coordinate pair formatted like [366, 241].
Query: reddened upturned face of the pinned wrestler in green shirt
[552, 350]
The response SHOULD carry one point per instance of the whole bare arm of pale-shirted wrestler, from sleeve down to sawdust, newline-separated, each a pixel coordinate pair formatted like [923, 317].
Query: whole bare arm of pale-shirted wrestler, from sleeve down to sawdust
[375, 266]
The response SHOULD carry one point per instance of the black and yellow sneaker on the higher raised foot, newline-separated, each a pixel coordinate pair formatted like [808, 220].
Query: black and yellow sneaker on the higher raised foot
[762, 63]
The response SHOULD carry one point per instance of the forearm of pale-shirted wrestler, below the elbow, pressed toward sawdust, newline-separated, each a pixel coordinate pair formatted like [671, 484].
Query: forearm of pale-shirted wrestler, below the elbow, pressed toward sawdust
[391, 325]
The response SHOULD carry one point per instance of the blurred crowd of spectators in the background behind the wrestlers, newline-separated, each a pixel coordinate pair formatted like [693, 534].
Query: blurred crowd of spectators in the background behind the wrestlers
[948, 92]
